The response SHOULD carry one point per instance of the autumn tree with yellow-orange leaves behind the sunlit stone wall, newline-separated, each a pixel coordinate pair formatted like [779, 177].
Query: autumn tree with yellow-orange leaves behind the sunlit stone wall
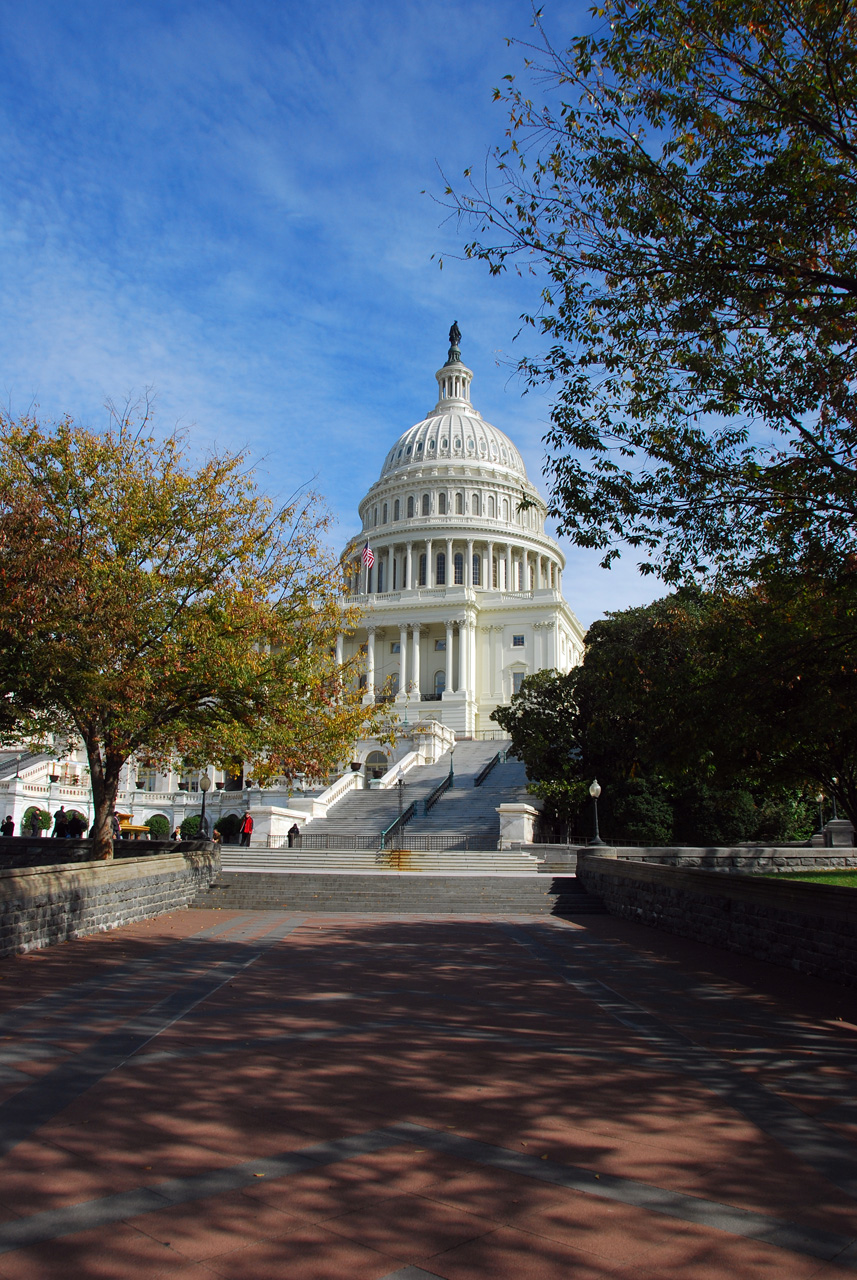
[154, 606]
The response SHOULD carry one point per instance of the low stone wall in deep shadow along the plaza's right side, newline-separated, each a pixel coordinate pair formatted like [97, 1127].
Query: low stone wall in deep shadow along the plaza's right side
[804, 926]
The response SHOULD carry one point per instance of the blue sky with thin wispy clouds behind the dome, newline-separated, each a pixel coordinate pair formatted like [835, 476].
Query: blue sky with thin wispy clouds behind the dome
[224, 202]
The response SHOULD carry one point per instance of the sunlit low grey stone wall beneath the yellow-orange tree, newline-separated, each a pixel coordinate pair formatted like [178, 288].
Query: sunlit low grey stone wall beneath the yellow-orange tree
[43, 906]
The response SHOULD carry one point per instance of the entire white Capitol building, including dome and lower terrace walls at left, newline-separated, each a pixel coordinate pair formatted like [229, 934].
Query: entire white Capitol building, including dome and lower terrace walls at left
[461, 601]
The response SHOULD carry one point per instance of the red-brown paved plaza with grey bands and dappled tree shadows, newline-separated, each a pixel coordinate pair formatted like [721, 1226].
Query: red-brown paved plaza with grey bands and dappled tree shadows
[228, 1096]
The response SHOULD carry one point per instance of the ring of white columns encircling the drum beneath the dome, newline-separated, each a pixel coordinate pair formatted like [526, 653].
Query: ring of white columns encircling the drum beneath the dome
[514, 564]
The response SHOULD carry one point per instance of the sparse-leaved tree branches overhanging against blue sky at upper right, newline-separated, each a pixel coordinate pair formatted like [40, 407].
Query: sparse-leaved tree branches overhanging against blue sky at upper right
[685, 188]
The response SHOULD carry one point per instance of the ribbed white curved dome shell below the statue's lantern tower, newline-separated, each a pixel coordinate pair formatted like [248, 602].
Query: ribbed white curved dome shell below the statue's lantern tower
[453, 433]
